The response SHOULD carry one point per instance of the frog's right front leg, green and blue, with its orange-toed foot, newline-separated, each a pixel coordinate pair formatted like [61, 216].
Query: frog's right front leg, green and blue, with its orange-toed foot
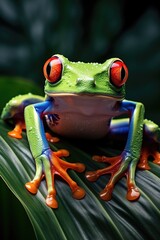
[125, 164]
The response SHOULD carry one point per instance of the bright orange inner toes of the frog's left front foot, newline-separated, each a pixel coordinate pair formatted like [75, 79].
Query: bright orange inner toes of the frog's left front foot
[60, 167]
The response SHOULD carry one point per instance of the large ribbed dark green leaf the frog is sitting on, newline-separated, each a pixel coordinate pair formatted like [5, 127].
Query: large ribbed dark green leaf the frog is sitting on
[89, 218]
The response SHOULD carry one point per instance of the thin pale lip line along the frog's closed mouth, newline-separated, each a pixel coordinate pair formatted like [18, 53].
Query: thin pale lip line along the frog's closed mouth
[55, 94]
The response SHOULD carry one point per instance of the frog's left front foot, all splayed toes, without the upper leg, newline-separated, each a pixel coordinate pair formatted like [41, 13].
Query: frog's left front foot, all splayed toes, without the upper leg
[55, 166]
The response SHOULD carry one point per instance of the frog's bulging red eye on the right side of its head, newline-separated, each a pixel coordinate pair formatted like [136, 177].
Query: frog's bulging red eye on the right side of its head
[118, 73]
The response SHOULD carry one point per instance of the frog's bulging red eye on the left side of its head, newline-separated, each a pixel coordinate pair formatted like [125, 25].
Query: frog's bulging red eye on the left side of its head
[53, 69]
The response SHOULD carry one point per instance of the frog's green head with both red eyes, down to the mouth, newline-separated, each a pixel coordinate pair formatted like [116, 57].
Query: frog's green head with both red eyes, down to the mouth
[65, 77]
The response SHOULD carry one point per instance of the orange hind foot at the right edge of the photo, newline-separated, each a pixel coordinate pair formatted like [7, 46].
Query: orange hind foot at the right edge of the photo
[149, 150]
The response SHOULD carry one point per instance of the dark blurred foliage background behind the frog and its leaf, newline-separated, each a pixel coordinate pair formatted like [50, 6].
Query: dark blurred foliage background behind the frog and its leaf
[33, 30]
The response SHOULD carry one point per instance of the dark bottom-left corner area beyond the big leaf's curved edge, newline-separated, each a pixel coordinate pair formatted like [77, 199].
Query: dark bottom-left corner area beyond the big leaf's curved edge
[14, 223]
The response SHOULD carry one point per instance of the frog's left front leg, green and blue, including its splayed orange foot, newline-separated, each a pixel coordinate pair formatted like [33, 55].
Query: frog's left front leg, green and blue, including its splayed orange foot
[48, 163]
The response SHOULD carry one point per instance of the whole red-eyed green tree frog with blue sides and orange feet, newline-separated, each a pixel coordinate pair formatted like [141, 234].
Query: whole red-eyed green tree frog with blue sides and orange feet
[85, 101]
